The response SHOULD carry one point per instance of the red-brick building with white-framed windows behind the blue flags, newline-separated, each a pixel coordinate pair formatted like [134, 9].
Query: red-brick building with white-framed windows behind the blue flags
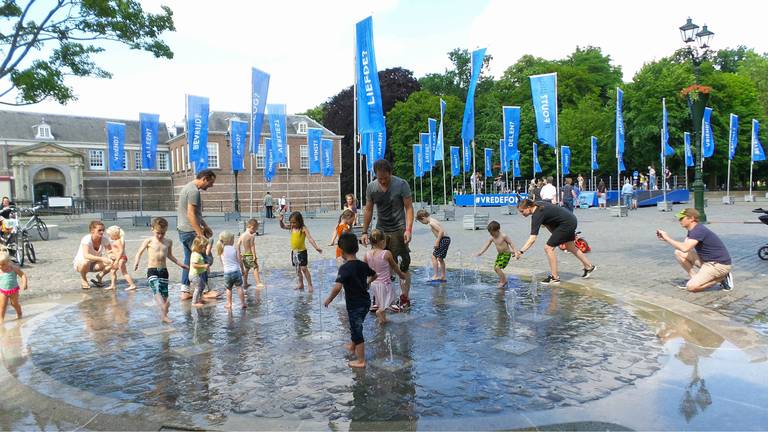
[302, 190]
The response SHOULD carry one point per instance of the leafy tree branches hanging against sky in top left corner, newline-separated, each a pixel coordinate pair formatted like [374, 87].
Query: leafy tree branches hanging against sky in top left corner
[49, 41]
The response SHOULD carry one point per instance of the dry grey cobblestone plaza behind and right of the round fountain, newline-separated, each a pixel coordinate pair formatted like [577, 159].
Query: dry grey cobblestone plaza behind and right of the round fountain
[626, 251]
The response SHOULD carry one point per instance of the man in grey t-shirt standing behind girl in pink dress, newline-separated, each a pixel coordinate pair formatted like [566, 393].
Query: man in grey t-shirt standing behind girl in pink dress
[394, 208]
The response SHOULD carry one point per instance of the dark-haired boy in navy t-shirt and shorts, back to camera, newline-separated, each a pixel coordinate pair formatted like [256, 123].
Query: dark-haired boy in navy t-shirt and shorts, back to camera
[354, 276]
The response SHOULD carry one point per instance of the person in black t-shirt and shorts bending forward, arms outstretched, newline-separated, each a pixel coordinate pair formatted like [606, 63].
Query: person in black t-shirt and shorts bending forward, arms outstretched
[562, 224]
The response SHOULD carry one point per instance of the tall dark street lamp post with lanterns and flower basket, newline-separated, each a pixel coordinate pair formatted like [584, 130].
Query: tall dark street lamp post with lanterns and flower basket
[697, 104]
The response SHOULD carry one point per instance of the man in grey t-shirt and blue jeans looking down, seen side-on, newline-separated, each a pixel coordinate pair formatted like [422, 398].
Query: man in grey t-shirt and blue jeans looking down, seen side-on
[190, 222]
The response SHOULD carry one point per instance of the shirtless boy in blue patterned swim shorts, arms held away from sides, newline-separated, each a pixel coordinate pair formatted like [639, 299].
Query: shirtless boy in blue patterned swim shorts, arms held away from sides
[159, 248]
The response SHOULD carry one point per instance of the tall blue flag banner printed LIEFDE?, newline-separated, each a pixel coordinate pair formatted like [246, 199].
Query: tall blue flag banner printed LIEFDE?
[370, 113]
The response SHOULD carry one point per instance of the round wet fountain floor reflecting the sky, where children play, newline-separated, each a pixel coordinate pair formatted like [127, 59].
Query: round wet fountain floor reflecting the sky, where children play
[465, 350]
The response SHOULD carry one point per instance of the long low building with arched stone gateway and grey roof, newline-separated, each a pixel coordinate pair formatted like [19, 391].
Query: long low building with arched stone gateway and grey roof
[61, 155]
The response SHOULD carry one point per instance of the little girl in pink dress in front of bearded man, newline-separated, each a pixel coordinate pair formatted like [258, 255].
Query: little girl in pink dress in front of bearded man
[383, 263]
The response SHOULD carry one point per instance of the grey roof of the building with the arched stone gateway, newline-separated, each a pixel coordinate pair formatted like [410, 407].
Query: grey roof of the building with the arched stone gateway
[67, 128]
